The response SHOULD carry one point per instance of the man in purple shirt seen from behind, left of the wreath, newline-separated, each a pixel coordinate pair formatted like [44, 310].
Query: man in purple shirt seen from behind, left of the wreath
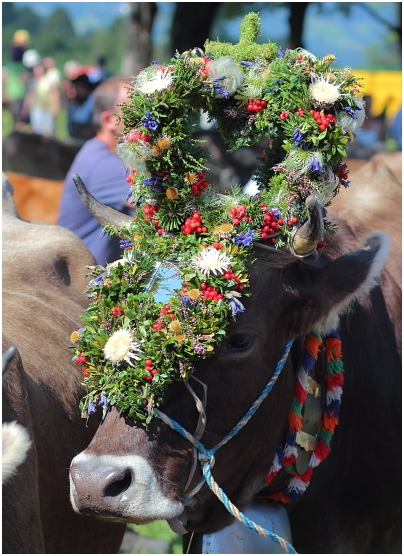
[102, 172]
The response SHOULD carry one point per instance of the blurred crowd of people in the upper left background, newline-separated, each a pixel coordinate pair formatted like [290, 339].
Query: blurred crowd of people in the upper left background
[35, 90]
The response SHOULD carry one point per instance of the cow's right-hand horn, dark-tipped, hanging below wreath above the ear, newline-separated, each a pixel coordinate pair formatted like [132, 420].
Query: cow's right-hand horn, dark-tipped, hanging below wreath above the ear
[311, 232]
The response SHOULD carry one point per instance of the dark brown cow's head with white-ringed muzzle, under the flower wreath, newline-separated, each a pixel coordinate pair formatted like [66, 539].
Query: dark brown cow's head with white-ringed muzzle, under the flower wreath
[139, 474]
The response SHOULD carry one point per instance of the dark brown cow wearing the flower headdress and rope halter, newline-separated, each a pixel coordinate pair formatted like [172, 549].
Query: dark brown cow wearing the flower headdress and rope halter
[137, 473]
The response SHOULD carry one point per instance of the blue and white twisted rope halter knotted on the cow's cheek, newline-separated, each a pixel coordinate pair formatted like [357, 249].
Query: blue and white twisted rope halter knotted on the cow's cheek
[206, 456]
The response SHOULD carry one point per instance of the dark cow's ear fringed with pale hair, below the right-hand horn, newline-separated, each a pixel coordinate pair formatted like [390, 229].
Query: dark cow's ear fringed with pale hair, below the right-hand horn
[336, 285]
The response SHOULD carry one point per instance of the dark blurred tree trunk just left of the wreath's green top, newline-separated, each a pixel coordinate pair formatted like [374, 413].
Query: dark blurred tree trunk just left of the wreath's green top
[191, 24]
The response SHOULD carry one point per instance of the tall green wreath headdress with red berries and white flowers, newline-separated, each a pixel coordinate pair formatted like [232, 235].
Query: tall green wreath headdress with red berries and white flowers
[142, 331]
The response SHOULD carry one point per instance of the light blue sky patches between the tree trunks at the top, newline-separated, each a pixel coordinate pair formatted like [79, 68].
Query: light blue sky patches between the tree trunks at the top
[348, 39]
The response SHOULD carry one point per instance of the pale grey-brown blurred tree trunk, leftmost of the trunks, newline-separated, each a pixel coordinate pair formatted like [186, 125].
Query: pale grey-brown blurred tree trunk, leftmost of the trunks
[138, 50]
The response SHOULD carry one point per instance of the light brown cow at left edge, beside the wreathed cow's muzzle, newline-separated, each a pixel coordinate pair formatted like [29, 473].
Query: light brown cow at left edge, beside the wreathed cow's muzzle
[43, 283]
